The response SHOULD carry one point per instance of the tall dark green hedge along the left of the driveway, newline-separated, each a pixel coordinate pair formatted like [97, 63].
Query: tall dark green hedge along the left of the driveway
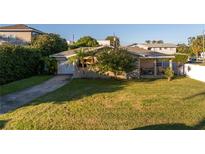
[18, 62]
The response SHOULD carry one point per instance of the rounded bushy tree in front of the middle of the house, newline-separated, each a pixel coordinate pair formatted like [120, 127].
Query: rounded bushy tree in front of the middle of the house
[115, 60]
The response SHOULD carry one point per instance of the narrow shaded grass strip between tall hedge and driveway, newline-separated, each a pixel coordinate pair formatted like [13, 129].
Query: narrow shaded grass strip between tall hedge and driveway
[22, 84]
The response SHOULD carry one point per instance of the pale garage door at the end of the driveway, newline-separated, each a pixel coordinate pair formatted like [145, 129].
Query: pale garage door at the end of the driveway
[64, 67]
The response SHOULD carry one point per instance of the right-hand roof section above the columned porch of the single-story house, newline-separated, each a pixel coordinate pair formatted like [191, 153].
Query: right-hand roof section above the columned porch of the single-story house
[143, 53]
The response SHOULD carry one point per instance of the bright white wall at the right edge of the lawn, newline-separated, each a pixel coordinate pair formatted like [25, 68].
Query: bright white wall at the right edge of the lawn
[195, 71]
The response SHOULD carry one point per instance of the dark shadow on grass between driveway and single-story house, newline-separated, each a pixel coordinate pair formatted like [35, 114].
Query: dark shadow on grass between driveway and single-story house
[79, 88]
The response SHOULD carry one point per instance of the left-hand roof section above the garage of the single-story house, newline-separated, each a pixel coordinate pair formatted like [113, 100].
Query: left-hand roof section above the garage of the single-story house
[70, 53]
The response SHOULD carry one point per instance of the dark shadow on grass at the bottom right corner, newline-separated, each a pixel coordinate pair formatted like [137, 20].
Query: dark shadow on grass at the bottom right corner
[176, 126]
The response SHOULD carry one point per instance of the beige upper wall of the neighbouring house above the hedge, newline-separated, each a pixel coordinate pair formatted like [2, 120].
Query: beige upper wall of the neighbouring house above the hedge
[24, 36]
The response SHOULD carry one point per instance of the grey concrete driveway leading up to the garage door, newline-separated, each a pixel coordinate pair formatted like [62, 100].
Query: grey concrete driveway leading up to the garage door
[12, 101]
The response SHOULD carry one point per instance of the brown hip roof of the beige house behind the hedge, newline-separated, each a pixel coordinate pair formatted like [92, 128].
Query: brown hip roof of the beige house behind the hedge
[19, 27]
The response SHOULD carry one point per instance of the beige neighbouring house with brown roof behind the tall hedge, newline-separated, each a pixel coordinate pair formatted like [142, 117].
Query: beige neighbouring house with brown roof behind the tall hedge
[17, 34]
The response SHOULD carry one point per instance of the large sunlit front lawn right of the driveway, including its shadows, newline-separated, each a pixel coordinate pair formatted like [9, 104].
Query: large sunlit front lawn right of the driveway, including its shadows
[110, 104]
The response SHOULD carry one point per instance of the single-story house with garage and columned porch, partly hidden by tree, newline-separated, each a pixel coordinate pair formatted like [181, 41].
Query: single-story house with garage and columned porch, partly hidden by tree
[148, 63]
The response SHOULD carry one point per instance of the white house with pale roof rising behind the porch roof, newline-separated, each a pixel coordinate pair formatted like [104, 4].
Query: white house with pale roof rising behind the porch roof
[165, 48]
